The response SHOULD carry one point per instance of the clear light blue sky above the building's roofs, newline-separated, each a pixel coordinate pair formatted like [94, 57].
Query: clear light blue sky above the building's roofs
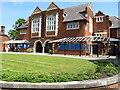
[11, 11]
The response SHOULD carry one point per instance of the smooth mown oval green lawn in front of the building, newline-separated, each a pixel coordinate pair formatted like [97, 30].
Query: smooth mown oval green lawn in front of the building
[45, 64]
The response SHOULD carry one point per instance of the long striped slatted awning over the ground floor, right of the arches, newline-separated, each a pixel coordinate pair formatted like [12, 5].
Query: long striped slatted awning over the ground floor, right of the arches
[85, 39]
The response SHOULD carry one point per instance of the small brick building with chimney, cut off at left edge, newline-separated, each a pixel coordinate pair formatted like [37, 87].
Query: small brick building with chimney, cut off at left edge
[3, 38]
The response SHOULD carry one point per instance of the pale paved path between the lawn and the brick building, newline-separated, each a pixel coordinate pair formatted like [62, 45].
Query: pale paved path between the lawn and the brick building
[93, 57]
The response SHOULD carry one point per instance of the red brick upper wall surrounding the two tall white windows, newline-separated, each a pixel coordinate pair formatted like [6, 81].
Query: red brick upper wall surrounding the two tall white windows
[62, 32]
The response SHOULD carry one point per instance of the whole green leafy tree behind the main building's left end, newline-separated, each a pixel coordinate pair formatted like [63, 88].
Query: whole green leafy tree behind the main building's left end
[13, 34]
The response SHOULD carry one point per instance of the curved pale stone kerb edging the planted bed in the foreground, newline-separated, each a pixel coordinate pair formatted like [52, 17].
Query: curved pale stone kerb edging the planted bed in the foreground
[62, 85]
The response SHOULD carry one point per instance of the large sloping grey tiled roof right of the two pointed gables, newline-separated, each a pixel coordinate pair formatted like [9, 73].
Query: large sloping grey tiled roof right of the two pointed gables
[73, 13]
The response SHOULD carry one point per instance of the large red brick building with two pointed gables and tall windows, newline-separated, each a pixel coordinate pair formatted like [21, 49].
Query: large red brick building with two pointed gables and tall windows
[55, 23]
